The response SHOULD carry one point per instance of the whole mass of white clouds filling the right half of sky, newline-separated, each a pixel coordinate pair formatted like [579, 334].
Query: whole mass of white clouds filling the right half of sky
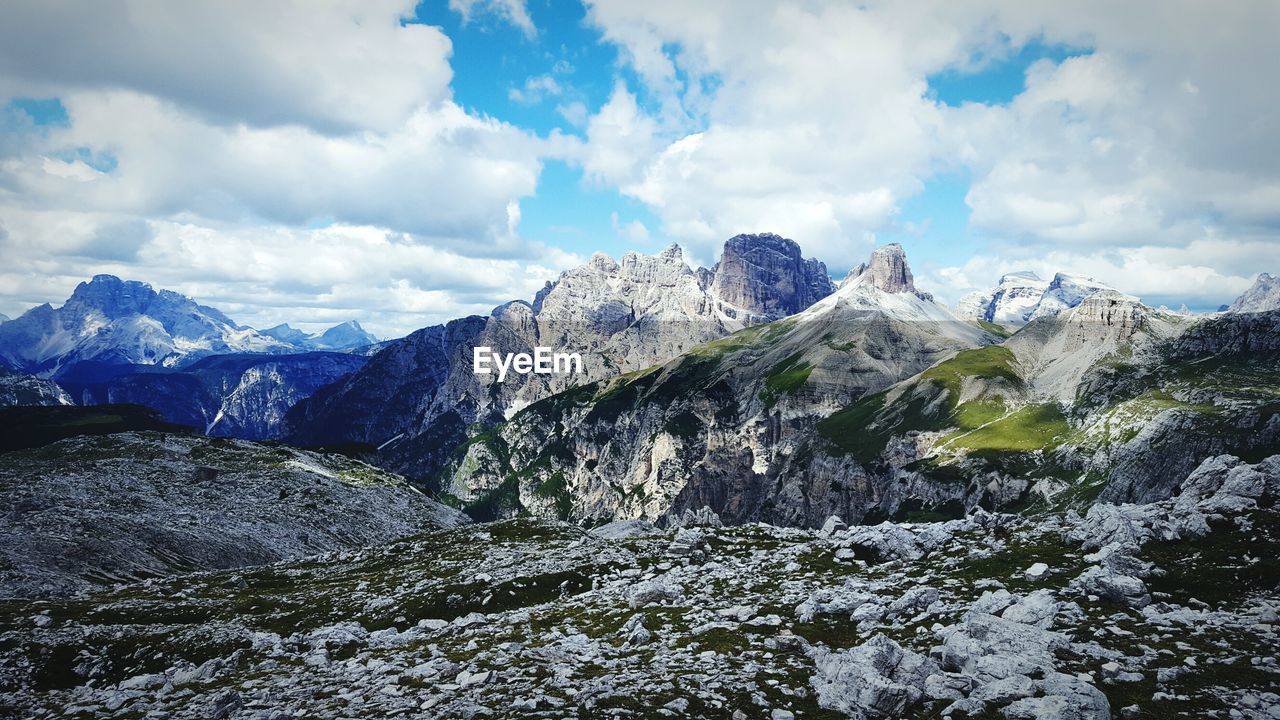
[816, 121]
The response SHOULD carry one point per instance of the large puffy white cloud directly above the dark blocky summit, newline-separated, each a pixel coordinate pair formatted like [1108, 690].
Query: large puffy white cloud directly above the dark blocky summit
[811, 121]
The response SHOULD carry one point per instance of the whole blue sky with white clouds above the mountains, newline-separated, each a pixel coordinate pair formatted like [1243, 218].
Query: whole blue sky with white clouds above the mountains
[406, 165]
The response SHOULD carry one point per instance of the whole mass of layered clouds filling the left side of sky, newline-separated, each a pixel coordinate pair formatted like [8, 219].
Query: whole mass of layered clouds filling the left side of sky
[282, 163]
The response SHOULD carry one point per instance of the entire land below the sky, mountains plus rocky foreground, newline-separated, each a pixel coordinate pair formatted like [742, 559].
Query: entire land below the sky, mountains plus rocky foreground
[767, 495]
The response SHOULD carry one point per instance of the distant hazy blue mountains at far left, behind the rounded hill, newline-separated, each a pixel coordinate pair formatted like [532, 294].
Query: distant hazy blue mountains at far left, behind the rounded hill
[121, 341]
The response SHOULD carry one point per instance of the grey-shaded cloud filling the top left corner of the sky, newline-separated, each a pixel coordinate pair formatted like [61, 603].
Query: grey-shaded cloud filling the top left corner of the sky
[348, 66]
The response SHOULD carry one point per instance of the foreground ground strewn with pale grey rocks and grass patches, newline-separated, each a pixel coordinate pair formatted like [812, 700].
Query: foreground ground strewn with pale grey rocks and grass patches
[1158, 610]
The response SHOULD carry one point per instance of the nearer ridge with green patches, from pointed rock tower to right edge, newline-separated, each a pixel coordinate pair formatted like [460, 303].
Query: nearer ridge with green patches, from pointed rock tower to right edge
[877, 403]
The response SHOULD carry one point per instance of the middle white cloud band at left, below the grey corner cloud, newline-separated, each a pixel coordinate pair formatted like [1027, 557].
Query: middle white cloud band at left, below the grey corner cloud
[444, 175]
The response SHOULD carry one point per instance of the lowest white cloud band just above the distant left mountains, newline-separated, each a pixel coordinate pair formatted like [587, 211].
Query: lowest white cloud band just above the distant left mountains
[264, 276]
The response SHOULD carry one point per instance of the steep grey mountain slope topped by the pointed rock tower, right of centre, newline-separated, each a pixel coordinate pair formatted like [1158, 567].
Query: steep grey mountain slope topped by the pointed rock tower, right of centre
[728, 425]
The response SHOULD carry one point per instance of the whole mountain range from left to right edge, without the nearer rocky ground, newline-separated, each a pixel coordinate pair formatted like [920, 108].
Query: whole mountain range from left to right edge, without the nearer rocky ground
[735, 388]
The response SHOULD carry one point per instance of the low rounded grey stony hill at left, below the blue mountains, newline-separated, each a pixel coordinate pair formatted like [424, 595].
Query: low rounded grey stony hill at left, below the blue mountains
[94, 511]
